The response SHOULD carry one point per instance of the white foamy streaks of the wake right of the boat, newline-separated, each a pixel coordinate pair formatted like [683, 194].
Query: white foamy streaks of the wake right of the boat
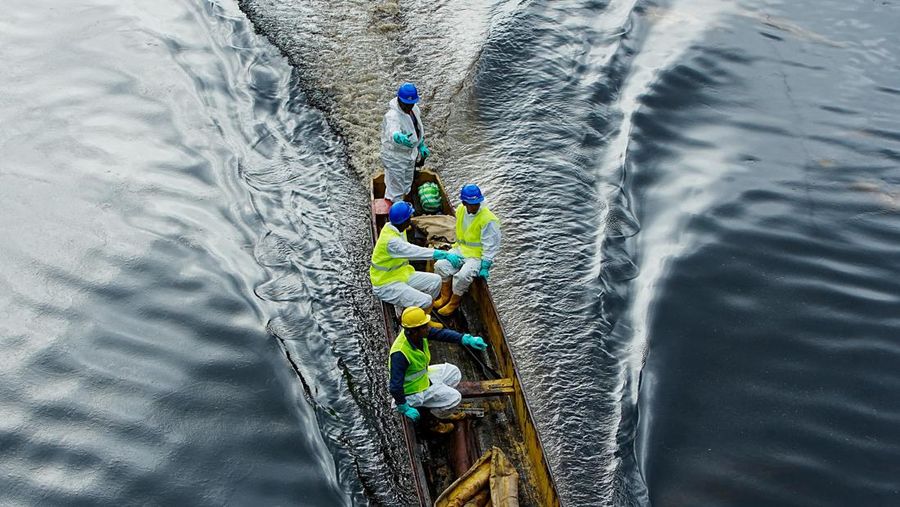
[673, 30]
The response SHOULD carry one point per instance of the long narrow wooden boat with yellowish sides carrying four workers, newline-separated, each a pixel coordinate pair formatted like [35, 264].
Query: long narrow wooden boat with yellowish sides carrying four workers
[497, 411]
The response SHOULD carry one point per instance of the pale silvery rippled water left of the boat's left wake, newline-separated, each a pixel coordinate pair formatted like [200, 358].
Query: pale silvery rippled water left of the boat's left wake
[136, 363]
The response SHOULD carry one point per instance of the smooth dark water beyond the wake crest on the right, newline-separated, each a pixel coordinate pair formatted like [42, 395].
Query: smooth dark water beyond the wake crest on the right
[772, 372]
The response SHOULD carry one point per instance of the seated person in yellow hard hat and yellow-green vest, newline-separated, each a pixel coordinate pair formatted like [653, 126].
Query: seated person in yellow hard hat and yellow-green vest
[414, 381]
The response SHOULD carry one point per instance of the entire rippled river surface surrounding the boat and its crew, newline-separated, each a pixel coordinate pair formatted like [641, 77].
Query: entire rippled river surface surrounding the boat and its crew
[699, 276]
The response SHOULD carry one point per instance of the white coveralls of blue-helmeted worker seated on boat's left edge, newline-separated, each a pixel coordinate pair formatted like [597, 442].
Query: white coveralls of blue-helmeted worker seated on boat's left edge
[421, 288]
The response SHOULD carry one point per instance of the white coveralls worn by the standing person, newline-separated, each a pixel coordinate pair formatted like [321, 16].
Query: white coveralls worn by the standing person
[399, 161]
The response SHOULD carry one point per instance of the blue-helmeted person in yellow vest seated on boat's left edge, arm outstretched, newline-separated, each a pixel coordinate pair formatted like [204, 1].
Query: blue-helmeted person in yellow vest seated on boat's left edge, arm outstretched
[394, 280]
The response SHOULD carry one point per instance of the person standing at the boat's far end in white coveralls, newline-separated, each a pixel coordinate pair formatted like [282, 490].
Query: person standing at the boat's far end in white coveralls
[402, 142]
